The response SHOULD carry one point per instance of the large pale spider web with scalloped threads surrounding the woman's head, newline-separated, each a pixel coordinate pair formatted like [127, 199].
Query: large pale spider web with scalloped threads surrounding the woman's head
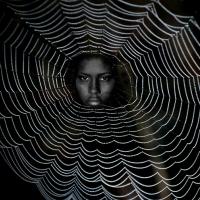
[146, 149]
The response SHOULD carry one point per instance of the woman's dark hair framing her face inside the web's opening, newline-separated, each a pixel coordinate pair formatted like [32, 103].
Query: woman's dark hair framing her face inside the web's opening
[122, 90]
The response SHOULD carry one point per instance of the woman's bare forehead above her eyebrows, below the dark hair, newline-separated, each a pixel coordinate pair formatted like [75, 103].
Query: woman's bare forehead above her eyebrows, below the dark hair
[93, 66]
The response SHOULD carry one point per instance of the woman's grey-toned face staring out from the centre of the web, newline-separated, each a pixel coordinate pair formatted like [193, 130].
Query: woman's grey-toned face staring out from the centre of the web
[94, 82]
